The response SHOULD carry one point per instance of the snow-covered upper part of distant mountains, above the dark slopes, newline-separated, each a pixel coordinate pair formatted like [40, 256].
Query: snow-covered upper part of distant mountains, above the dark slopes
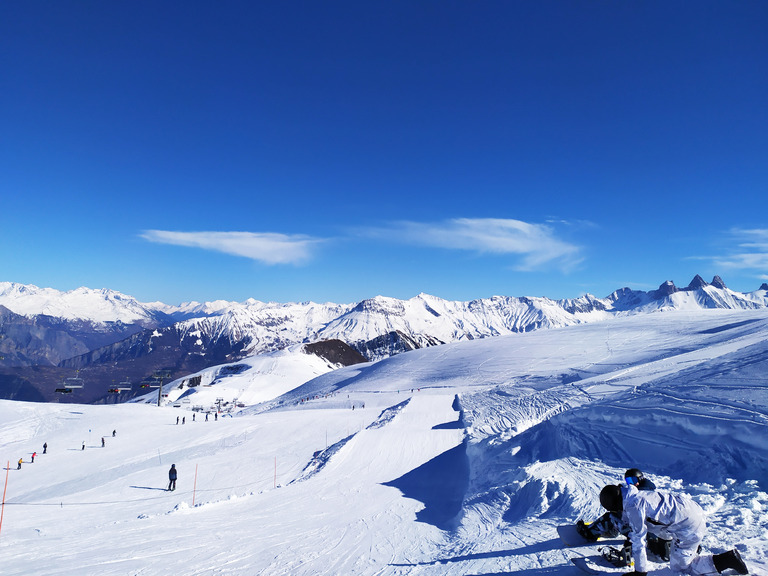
[424, 320]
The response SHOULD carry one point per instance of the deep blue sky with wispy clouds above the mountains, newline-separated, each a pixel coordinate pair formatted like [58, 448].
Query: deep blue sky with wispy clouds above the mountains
[334, 151]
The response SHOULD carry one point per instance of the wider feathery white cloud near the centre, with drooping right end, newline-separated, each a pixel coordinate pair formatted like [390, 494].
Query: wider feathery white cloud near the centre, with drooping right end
[537, 245]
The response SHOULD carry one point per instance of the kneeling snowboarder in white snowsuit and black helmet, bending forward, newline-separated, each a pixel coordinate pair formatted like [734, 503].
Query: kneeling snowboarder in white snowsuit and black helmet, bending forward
[682, 518]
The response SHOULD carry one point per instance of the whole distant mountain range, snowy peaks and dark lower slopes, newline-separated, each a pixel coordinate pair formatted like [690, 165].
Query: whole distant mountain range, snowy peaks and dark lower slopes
[86, 329]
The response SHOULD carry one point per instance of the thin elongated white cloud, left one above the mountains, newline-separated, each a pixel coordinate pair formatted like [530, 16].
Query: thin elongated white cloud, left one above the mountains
[268, 248]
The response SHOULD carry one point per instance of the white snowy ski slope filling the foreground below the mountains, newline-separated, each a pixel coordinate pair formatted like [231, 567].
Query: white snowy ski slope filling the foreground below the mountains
[460, 459]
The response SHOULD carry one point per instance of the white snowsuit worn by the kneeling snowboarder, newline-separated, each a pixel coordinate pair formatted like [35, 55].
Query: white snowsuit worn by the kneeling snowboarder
[680, 517]
